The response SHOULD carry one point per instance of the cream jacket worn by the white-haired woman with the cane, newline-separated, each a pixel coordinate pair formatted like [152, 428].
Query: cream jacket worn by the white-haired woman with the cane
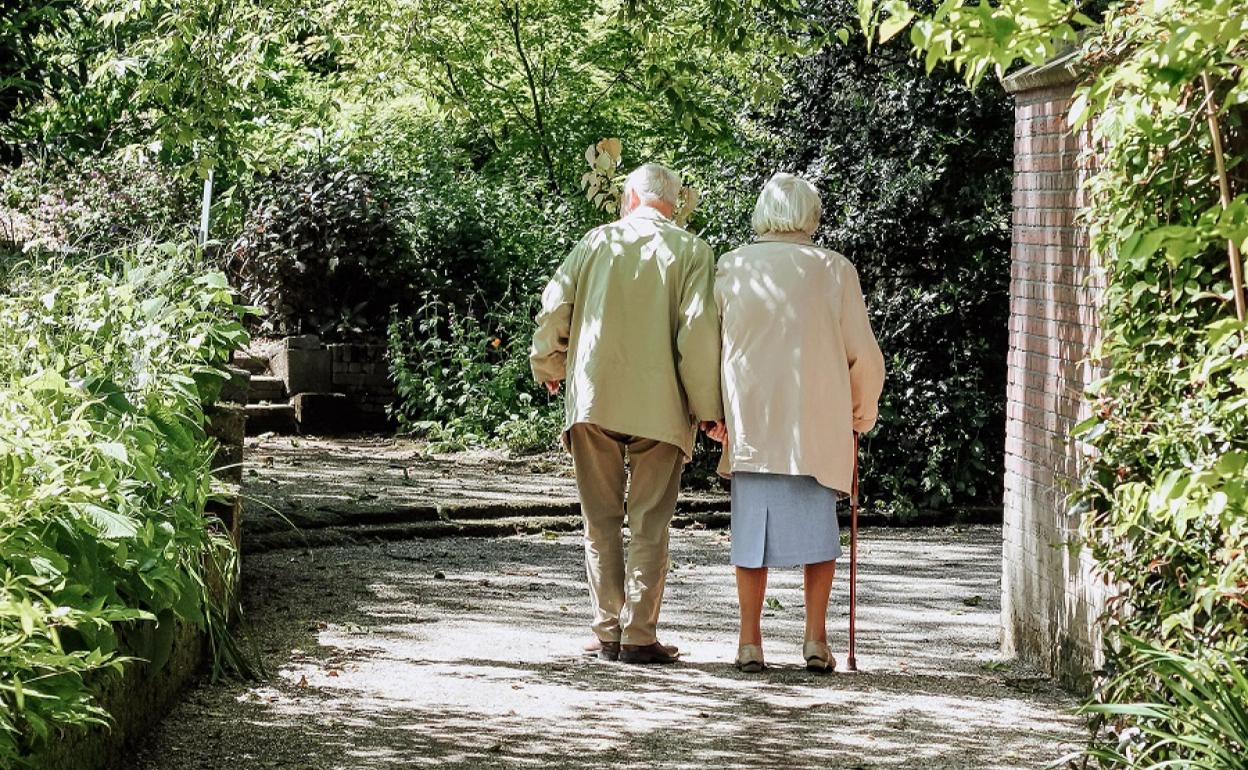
[802, 368]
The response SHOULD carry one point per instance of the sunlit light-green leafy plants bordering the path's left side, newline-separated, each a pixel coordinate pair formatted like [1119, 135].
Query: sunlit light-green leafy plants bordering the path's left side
[104, 477]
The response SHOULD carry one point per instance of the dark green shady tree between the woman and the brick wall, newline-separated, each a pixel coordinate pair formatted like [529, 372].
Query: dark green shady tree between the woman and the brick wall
[915, 178]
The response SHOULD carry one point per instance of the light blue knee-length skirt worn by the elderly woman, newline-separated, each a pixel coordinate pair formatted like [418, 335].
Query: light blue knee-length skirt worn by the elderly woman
[783, 521]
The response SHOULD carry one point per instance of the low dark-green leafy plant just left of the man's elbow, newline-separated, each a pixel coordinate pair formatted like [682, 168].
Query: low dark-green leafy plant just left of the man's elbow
[465, 381]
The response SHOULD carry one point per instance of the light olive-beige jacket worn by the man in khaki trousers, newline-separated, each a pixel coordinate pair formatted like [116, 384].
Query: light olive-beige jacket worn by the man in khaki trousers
[630, 321]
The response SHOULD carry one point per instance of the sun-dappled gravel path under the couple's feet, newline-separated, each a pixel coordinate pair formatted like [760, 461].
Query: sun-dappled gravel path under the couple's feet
[464, 653]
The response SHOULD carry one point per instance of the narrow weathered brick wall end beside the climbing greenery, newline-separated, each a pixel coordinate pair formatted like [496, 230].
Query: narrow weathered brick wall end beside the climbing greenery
[1050, 600]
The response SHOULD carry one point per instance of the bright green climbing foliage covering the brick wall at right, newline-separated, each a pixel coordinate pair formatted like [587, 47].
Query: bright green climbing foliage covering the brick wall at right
[1168, 489]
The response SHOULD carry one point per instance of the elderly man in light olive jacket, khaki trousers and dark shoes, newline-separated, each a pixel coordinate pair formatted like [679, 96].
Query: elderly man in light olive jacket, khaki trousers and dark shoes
[630, 321]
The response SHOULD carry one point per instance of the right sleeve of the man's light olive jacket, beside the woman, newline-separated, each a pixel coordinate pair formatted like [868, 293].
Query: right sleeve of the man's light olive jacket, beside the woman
[698, 344]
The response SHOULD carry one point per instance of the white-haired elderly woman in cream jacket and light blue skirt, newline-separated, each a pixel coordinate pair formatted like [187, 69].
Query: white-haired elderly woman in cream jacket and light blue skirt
[802, 376]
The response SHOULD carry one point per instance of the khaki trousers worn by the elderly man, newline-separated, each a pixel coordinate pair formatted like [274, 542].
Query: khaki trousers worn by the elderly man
[626, 595]
